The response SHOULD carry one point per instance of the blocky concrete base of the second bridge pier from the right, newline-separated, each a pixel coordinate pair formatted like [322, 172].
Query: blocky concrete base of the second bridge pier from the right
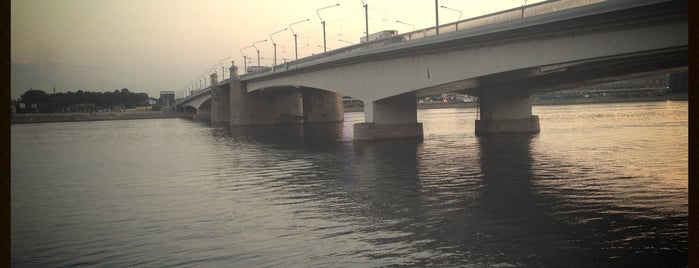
[373, 131]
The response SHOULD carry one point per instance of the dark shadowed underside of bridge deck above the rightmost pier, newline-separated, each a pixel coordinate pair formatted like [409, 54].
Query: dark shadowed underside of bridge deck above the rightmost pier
[544, 79]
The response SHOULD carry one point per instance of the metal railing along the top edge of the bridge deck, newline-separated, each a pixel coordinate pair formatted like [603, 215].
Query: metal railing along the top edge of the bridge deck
[470, 23]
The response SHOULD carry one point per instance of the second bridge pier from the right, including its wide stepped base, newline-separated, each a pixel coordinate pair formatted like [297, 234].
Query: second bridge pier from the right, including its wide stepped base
[390, 118]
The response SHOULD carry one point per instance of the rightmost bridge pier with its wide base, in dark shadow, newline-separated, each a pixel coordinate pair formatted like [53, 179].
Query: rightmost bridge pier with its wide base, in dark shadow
[506, 112]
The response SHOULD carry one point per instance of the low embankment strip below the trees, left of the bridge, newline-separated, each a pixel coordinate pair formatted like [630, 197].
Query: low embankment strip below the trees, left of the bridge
[77, 117]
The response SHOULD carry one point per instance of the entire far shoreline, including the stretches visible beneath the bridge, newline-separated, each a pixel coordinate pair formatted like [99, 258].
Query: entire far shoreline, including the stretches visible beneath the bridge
[82, 117]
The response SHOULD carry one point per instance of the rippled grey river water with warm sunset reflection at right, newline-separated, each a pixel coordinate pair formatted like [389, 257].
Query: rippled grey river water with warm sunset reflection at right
[601, 185]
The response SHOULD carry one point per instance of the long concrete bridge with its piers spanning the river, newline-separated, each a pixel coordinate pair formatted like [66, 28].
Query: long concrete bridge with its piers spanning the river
[502, 58]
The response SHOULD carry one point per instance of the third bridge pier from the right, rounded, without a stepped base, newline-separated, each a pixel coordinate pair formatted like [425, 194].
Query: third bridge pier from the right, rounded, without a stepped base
[322, 107]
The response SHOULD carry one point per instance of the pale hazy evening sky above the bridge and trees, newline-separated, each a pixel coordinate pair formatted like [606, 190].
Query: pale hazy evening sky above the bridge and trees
[171, 45]
